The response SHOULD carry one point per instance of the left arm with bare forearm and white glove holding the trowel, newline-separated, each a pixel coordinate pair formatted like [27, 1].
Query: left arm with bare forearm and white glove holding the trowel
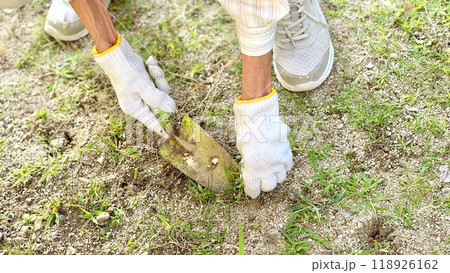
[126, 70]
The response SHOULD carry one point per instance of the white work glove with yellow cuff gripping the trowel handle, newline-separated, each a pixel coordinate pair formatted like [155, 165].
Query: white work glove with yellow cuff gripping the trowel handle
[135, 91]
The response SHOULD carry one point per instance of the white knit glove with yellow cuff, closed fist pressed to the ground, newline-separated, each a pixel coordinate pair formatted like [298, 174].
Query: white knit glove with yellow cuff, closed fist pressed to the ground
[261, 138]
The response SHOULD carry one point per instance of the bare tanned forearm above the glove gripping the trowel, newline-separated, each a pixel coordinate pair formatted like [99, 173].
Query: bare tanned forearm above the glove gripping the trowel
[96, 18]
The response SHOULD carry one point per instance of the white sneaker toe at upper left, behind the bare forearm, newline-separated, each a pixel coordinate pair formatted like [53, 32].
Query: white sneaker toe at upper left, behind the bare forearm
[63, 23]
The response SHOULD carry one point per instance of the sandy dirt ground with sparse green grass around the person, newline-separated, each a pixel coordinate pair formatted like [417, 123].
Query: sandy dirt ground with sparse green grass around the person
[372, 143]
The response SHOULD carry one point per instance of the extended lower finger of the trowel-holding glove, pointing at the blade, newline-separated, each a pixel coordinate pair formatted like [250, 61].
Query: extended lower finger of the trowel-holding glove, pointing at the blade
[138, 110]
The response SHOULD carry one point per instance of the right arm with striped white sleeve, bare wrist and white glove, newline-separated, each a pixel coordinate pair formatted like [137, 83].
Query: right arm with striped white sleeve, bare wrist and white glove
[260, 130]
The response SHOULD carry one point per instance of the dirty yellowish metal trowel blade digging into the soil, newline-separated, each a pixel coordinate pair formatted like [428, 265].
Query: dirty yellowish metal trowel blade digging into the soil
[196, 154]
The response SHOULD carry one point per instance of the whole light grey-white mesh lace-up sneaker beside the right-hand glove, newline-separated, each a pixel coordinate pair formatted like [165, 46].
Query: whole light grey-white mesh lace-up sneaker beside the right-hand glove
[303, 53]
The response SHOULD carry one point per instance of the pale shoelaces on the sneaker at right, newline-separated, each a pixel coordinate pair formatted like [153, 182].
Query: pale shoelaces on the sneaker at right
[289, 27]
